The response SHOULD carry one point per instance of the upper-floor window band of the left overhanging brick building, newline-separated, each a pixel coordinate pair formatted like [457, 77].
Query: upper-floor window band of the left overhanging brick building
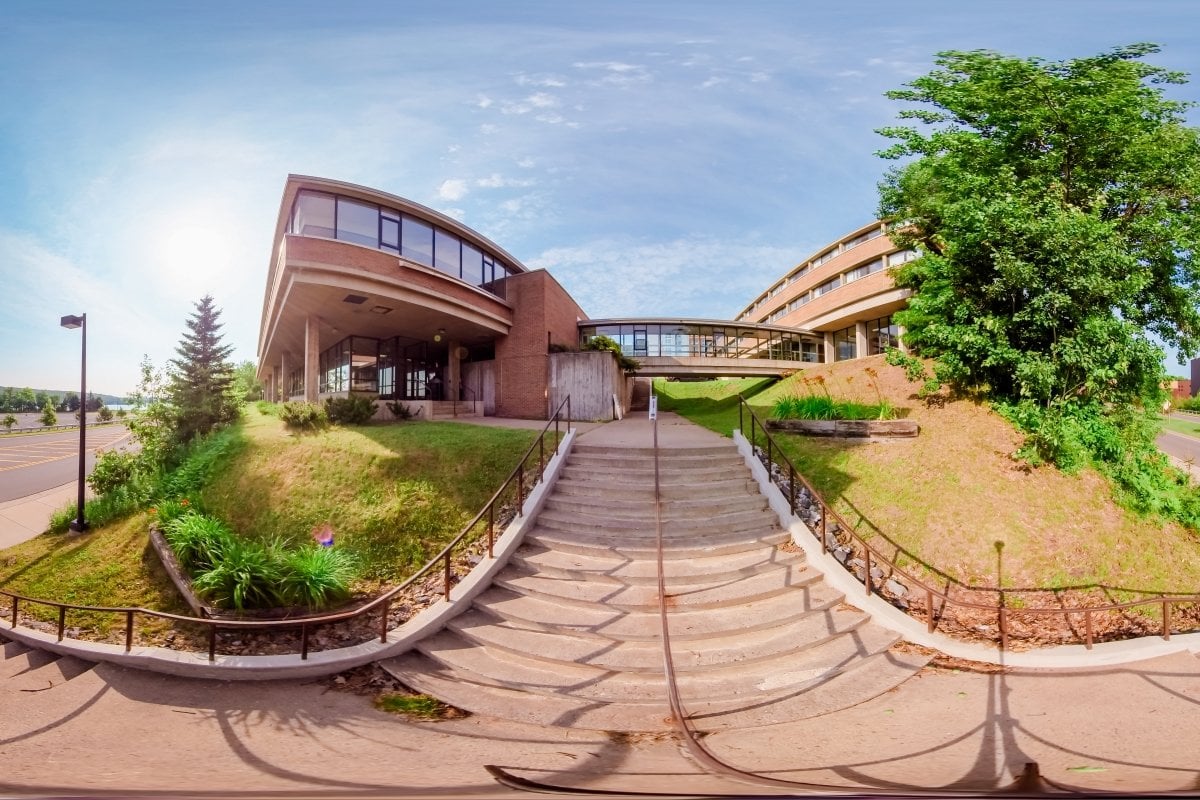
[333, 216]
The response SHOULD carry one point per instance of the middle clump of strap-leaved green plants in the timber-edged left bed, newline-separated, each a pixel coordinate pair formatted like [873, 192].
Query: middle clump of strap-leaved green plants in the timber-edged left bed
[248, 575]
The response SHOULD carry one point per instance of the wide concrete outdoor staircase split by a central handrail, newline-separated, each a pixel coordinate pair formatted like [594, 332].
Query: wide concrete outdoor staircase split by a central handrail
[569, 633]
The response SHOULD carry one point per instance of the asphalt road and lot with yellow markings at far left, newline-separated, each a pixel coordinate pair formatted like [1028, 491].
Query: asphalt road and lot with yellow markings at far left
[35, 462]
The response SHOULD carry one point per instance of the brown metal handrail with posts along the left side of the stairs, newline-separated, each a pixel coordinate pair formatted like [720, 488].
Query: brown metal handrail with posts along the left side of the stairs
[305, 623]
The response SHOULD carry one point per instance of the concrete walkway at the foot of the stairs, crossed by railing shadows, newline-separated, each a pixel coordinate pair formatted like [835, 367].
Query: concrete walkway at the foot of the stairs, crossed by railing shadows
[117, 731]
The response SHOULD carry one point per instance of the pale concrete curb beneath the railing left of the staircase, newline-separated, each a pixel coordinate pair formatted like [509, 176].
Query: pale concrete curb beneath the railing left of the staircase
[326, 663]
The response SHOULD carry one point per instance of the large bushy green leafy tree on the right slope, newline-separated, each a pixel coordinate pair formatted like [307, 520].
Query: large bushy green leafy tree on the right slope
[1054, 207]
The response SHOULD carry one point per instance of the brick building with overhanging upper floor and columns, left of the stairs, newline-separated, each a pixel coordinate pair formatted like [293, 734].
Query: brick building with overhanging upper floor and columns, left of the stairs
[375, 294]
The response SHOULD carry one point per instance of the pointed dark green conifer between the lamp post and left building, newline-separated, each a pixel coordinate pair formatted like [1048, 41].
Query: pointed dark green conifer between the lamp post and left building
[202, 378]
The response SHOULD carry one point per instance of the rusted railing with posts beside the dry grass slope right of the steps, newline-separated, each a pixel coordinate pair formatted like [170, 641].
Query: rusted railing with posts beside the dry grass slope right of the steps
[835, 533]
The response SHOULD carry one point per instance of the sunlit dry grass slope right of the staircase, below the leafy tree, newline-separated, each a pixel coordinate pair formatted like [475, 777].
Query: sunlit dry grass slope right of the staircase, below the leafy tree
[949, 497]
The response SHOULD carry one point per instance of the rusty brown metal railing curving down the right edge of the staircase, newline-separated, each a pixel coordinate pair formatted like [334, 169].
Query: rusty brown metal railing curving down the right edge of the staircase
[875, 558]
